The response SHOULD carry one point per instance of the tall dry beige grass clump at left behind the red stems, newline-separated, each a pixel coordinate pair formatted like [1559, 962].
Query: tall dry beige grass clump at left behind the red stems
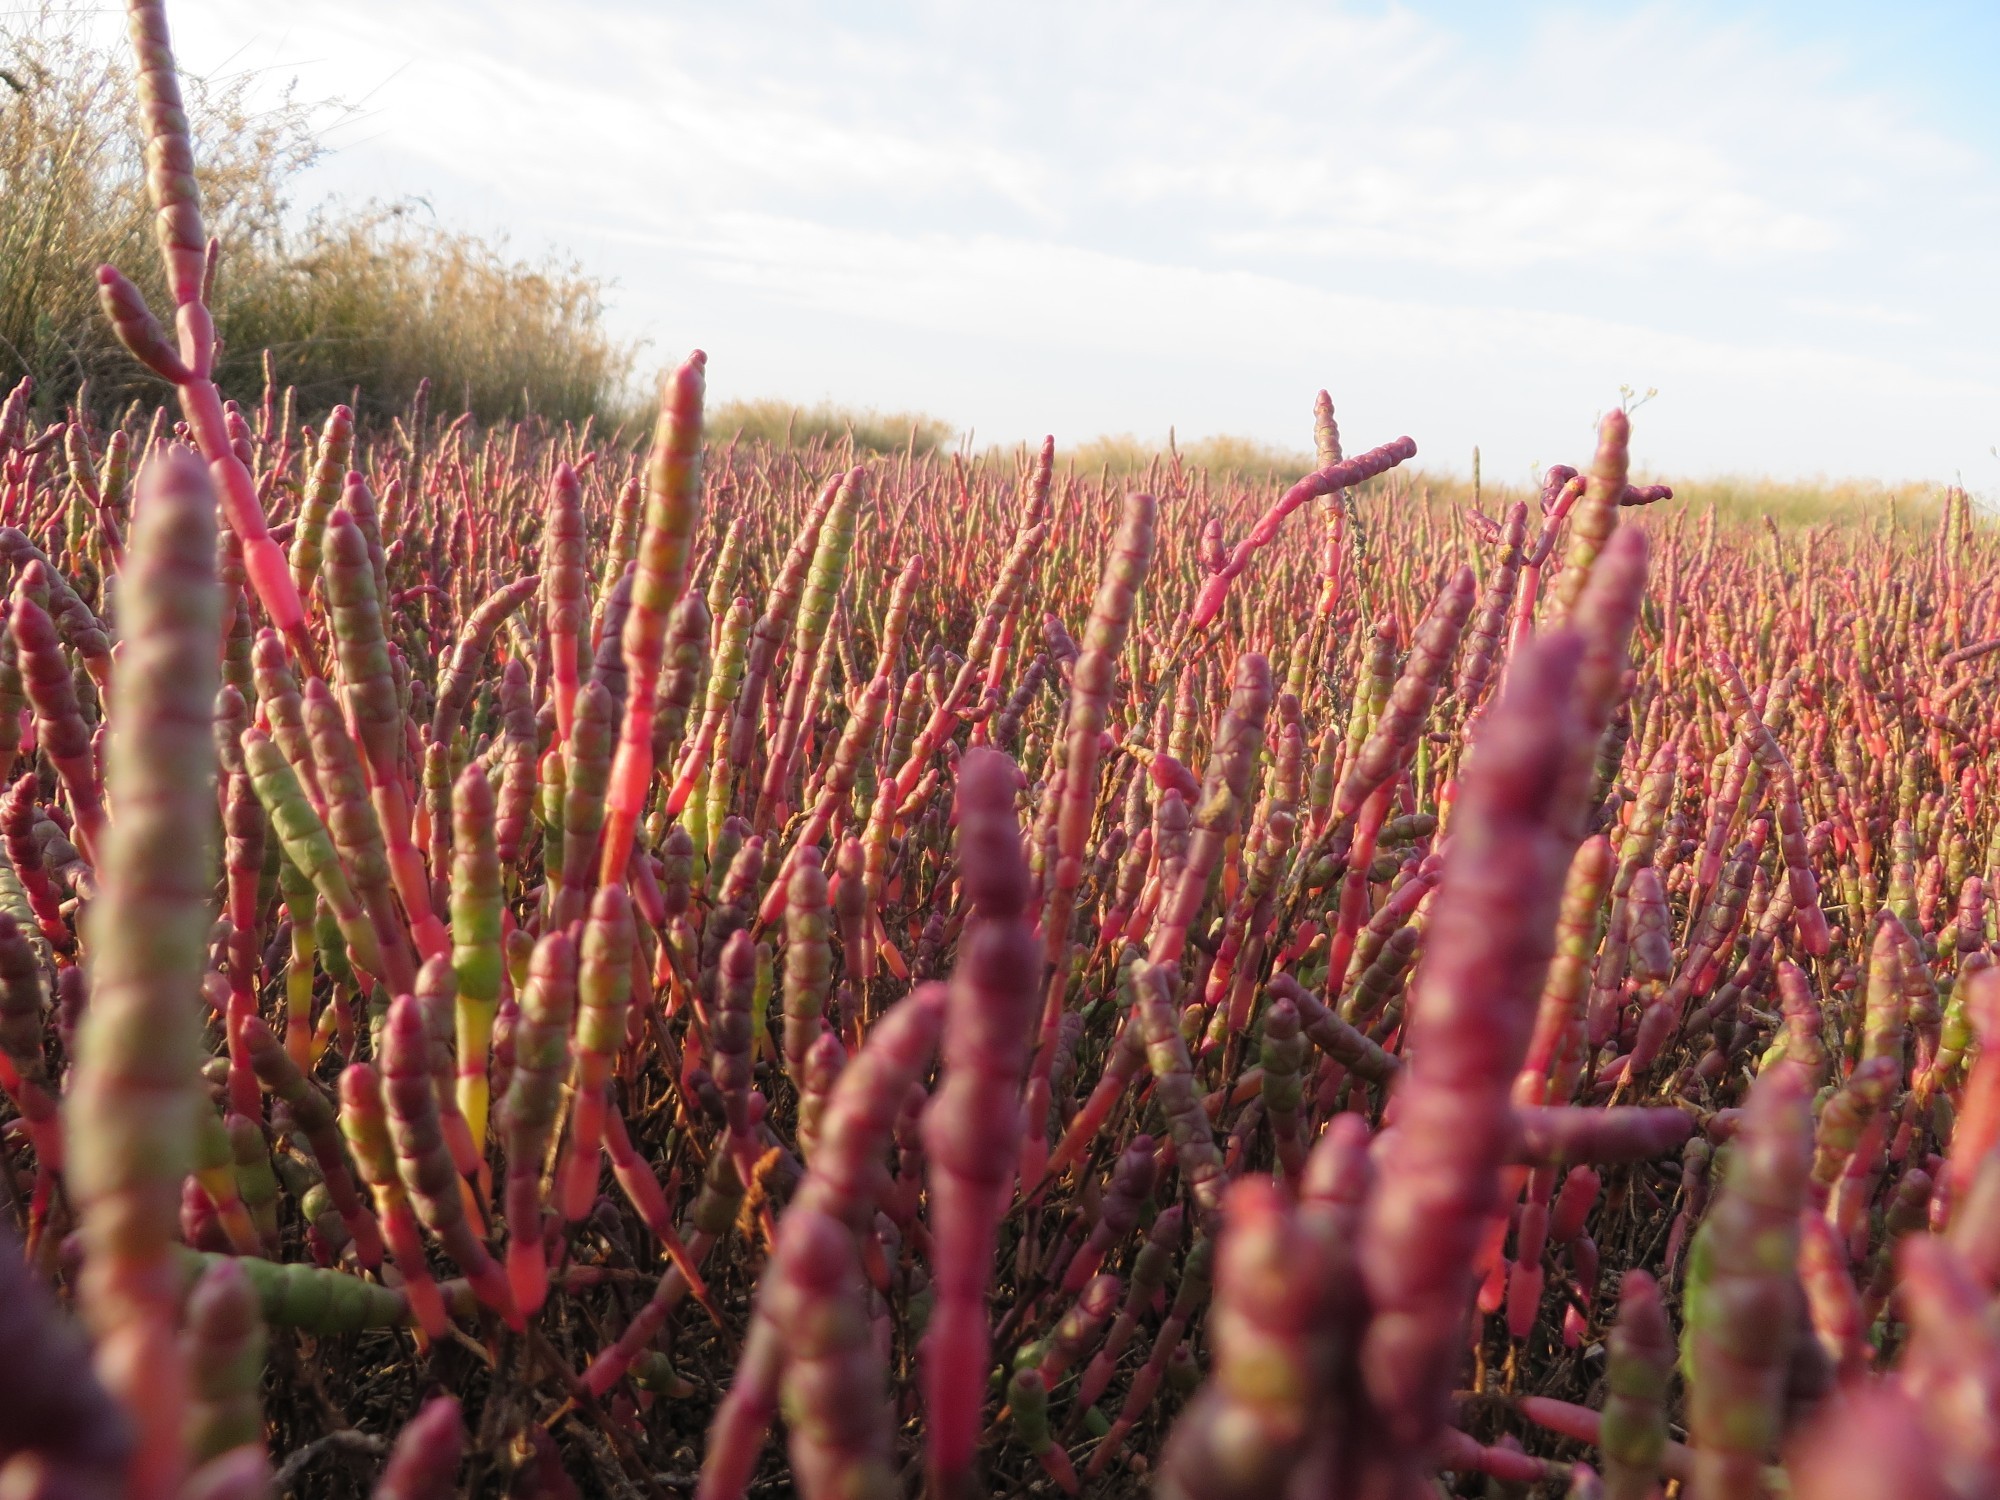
[373, 297]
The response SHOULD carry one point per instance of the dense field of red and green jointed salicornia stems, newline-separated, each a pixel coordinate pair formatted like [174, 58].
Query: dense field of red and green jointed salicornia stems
[535, 965]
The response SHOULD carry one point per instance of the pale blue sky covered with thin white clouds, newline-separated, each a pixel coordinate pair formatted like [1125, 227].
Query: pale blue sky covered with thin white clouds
[1471, 223]
